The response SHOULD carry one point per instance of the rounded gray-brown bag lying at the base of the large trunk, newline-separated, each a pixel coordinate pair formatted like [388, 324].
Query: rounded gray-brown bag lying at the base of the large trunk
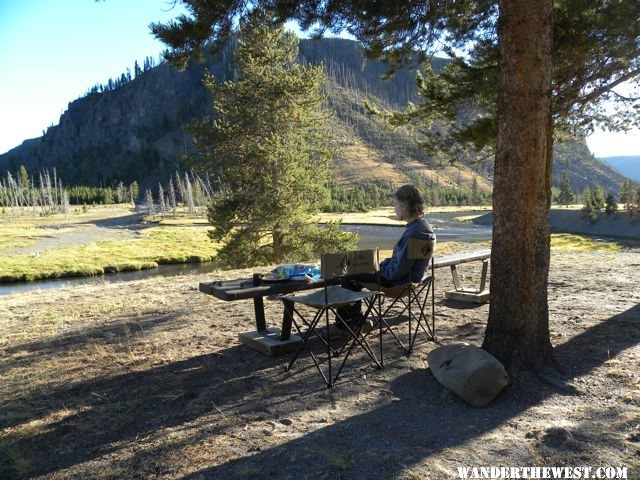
[470, 372]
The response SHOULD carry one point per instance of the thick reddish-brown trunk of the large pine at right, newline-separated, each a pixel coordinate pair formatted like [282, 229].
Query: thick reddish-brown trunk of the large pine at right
[518, 326]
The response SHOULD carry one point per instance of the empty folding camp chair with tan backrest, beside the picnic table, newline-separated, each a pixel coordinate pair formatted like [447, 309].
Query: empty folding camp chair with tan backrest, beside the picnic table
[327, 300]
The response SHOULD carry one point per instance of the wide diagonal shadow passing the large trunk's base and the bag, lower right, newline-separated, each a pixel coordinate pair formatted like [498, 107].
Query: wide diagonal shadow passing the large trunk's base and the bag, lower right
[422, 422]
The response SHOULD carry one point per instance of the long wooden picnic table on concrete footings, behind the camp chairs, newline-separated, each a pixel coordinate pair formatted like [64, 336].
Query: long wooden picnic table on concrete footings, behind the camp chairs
[275, 341]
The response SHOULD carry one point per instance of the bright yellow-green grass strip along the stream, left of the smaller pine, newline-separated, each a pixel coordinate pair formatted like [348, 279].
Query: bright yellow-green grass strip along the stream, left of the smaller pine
[155, 246]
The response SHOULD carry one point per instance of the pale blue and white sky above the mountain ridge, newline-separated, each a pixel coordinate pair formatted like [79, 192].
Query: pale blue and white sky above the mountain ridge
[53, 51]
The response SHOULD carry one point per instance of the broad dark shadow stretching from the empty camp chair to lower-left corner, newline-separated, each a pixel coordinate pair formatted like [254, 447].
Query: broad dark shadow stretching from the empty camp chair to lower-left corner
[91, 418]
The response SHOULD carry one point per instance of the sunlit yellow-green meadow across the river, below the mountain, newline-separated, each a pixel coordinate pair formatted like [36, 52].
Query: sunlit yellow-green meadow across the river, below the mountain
[107, 239]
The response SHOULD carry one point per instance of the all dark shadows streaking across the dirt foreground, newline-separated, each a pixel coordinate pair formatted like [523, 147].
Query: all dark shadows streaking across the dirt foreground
[236, 385]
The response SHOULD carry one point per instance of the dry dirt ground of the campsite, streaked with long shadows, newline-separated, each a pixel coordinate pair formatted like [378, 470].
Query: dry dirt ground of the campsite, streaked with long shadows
[147, 379]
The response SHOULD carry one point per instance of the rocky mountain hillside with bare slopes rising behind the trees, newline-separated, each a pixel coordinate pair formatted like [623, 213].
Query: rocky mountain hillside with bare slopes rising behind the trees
[136, 131]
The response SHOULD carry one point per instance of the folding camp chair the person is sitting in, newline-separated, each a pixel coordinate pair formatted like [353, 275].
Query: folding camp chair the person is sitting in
[411, 298]
